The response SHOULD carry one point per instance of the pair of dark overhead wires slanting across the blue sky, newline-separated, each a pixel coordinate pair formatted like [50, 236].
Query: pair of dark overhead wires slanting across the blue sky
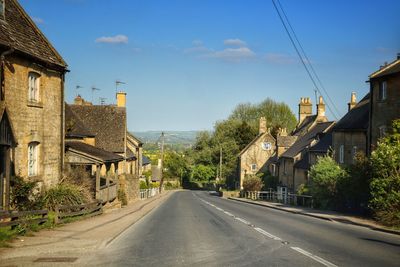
[301, 57]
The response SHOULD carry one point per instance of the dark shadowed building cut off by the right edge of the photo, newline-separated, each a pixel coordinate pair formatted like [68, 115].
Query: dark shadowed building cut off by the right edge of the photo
[384, 100]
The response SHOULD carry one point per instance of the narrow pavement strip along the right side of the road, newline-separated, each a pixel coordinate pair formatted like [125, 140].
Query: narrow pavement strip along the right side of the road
[322, 214]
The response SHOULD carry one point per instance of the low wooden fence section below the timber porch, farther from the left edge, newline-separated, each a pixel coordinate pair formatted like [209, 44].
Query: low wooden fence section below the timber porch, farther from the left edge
[89, 210]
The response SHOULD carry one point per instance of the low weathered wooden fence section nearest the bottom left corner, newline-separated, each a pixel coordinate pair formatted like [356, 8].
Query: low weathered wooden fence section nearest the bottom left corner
[13, 218]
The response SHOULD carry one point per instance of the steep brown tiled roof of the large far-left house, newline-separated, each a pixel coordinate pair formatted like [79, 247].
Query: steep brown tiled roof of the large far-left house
[19, 32]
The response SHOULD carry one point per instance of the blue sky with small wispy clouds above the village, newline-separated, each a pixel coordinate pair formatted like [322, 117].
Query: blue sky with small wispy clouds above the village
[187, 63]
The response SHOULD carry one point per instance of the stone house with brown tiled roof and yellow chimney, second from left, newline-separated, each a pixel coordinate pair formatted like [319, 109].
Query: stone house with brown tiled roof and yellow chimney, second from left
[108, 123]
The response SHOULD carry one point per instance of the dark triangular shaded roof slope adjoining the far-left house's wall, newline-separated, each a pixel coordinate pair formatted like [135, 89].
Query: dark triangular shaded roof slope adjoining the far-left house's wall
[74, 127]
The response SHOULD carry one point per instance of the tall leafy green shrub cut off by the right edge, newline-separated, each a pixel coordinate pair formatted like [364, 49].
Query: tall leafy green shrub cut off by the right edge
[385, 183]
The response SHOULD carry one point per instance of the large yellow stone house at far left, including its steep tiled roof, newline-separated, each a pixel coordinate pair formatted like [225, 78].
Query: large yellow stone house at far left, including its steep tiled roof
[31, 102]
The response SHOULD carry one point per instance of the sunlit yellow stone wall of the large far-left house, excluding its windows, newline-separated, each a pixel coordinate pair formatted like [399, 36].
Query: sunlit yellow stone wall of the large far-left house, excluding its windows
[35, 122]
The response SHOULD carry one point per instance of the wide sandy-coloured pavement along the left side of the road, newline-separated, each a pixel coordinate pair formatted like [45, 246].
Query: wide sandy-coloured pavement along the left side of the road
[67, 243]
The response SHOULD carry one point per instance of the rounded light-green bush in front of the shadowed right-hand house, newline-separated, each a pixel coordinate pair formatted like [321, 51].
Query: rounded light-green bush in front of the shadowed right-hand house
[325, 176]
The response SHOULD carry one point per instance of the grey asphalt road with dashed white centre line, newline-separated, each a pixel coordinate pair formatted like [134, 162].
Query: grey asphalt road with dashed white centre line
[196, 229]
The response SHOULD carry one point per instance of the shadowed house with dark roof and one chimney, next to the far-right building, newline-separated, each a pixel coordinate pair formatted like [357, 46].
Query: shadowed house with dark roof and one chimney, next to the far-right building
[349, 135]
